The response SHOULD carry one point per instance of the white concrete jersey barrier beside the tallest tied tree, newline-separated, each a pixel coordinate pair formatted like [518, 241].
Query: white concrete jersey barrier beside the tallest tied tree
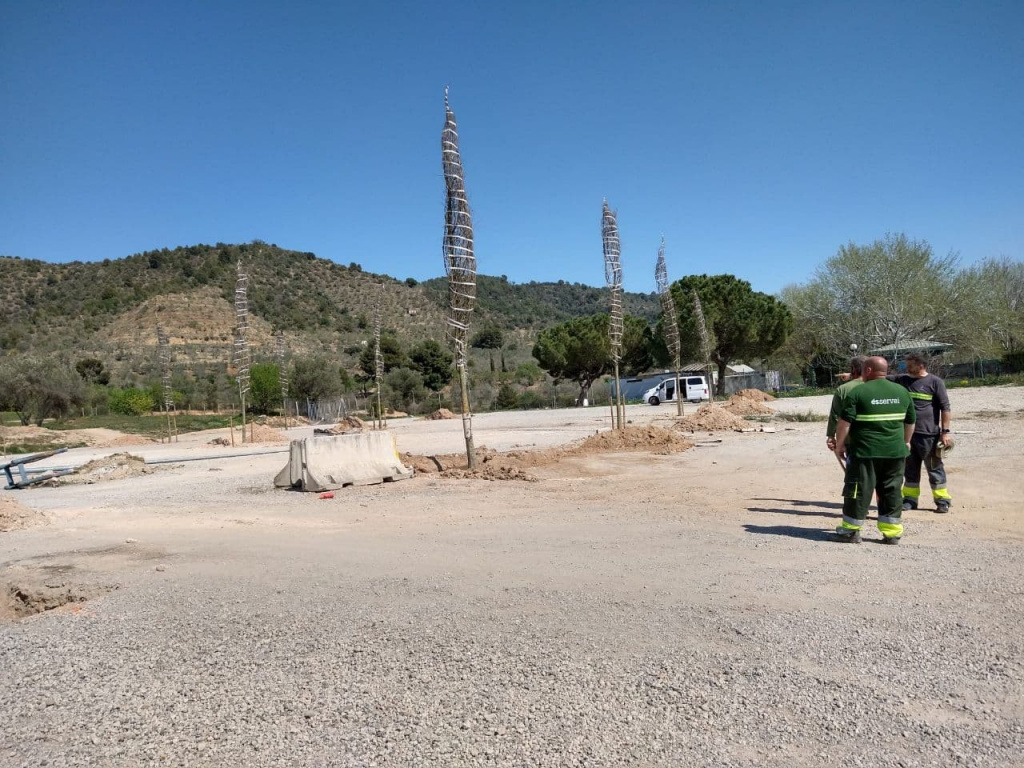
[333, 462]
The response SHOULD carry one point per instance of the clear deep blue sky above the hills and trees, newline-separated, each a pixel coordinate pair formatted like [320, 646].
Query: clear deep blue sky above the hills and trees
[757, 138]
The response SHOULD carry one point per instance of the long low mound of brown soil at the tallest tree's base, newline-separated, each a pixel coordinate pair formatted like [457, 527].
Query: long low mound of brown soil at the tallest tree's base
[492, 465]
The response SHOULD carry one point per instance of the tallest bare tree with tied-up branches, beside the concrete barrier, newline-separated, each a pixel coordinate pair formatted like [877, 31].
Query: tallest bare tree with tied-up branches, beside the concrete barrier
[460, 266]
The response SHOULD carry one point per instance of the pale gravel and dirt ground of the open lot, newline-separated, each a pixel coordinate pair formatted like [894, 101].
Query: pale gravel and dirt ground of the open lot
[707, 564]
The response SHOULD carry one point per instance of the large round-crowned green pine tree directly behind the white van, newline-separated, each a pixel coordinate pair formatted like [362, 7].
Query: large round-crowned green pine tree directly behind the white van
[743, 324]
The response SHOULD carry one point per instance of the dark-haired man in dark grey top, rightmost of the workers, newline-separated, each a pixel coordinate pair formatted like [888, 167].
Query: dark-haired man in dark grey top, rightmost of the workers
[929, 395]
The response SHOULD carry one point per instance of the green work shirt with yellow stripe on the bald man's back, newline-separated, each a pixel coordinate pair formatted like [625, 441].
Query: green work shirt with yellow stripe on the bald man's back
[877, 412]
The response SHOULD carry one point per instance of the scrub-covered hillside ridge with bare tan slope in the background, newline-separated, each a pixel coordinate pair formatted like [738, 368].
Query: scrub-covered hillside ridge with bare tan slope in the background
[112, 308]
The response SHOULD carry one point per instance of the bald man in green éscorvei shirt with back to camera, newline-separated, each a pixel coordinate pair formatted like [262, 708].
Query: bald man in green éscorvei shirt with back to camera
[876, 424]
